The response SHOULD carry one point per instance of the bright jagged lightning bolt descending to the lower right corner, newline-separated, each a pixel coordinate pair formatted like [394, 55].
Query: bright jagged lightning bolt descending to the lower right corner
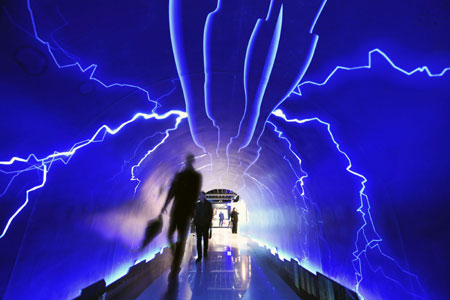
[364, 199]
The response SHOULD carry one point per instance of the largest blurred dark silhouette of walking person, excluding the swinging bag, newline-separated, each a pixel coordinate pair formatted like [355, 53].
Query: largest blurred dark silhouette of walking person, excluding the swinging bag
[185, 189]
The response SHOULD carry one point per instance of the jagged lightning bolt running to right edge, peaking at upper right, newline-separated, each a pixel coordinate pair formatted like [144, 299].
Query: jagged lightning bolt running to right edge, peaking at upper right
[369, 65]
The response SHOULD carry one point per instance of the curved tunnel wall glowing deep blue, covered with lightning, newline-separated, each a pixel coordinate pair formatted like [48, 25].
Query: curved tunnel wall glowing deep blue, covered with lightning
[348, 177]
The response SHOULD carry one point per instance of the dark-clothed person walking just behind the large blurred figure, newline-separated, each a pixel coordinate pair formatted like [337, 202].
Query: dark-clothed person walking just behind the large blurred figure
[202, 220]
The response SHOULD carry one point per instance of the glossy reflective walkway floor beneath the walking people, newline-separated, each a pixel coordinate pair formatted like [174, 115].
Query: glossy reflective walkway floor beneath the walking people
[228, 273]
